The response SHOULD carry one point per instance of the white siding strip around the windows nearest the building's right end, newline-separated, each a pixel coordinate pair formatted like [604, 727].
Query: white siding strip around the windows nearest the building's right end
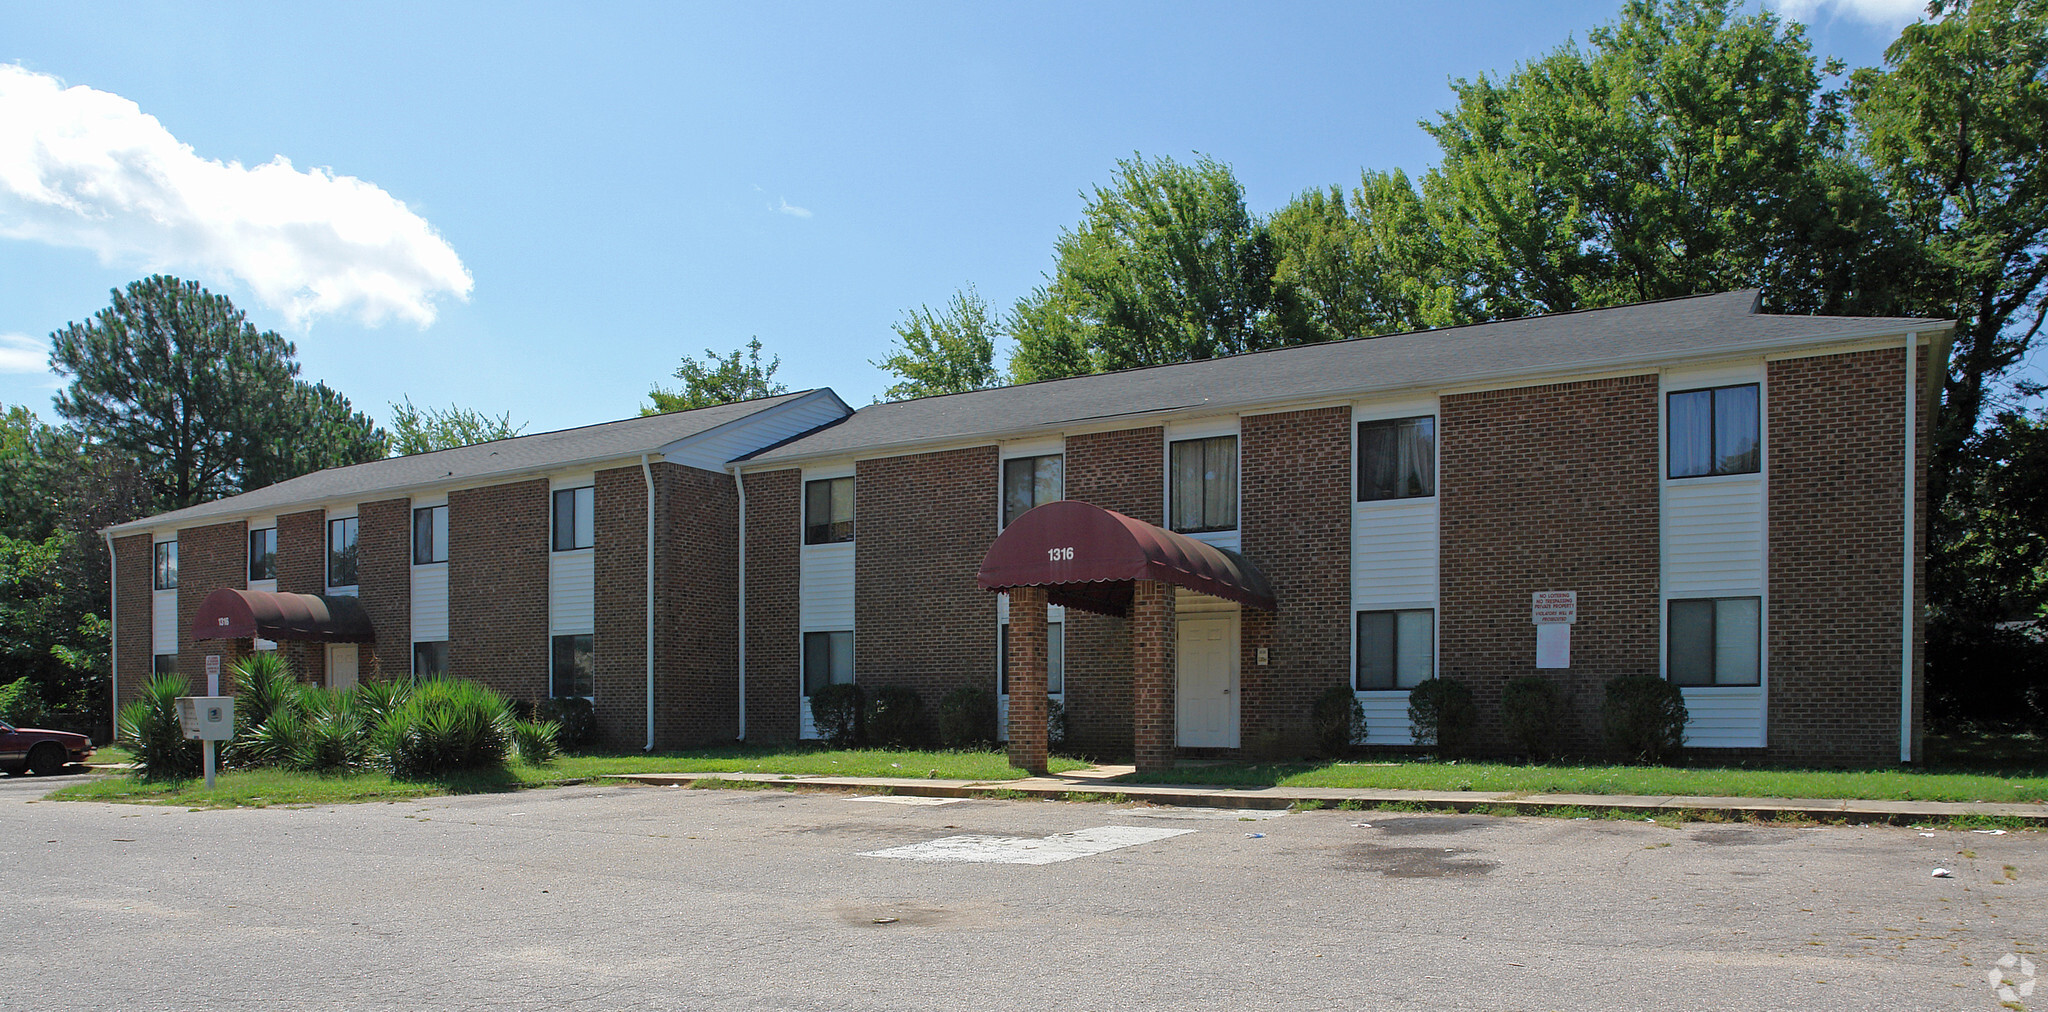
[1715, 544]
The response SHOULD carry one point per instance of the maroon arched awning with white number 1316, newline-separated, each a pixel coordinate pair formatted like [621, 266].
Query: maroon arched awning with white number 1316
[1086, 558]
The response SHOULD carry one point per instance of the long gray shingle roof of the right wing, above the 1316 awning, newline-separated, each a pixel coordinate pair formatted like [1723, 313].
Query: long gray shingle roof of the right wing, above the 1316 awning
[1627, 335]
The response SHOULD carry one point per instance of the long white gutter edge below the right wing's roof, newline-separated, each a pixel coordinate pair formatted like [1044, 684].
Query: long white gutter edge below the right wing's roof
[1463, 384]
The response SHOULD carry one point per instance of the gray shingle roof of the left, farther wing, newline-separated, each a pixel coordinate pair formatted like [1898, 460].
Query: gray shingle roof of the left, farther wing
[501, 458]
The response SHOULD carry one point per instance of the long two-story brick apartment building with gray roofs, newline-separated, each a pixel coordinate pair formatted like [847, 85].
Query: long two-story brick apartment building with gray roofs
[1699, 491]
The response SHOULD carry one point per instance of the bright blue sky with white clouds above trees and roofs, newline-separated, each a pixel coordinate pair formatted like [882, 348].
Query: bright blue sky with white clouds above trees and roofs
[560, 204]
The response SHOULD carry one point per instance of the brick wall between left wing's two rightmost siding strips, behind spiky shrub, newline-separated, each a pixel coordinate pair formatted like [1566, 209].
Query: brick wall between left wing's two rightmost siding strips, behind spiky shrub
[499, 587]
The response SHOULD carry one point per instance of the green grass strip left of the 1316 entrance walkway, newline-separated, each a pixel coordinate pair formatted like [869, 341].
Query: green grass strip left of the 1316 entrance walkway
[286, 788]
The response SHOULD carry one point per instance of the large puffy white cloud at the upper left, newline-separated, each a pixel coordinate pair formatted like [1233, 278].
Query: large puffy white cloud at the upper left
[93, 171]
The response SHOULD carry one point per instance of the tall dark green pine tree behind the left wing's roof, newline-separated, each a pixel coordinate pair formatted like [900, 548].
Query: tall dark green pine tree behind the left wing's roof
[177, 378]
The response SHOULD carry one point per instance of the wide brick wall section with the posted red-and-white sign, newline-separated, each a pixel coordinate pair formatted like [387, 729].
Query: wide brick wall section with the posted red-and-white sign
[1549, 489]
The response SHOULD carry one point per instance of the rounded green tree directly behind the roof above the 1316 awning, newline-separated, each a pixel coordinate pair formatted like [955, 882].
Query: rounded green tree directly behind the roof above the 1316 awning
[1166, 267]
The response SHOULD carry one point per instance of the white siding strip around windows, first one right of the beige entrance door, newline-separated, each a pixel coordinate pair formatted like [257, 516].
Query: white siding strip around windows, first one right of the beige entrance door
[1394, 566]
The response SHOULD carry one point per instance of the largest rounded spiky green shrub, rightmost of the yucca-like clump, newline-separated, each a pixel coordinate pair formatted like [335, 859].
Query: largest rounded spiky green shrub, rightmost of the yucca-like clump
[443, 728]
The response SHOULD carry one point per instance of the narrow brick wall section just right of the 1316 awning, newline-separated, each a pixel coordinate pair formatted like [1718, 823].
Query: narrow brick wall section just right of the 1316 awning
[1297, 530]
